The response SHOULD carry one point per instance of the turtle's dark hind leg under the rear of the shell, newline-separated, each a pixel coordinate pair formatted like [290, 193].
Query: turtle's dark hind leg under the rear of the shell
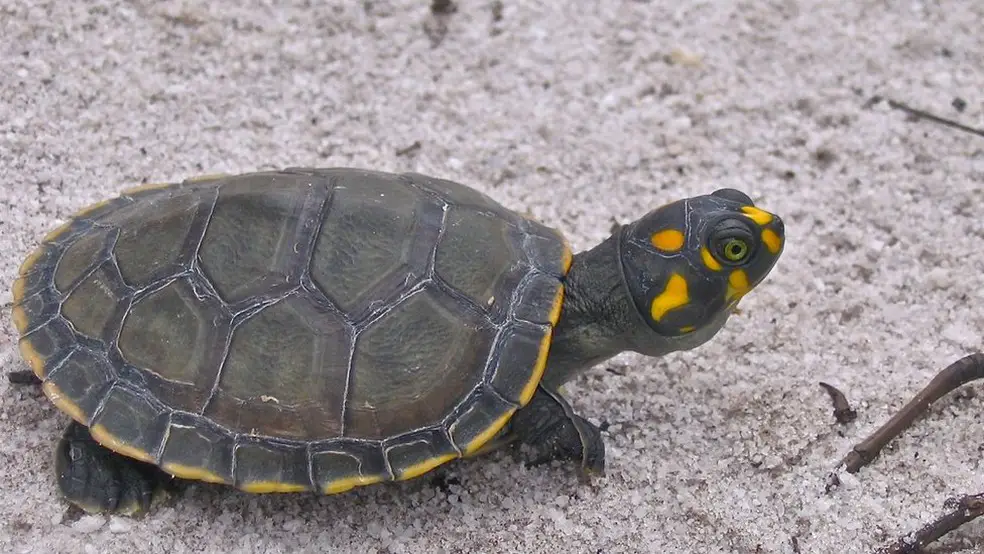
[98, 480]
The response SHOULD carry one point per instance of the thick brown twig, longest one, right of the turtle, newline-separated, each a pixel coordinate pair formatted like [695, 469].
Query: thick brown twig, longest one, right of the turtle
[957, 374]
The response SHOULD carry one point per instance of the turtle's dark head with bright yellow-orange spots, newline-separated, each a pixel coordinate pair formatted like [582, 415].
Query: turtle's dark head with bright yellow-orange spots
[687, 264]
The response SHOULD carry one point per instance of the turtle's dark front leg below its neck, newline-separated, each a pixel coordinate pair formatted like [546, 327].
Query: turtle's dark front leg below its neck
[549, 426]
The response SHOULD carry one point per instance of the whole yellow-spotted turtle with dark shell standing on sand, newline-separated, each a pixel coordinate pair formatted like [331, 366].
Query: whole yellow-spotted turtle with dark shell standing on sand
[322, 329]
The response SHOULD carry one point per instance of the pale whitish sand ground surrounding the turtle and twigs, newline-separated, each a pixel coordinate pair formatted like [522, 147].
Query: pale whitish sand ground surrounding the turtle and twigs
[580, 113]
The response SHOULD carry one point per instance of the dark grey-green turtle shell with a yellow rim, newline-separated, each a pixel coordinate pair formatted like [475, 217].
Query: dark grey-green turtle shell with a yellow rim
[304, 329]
